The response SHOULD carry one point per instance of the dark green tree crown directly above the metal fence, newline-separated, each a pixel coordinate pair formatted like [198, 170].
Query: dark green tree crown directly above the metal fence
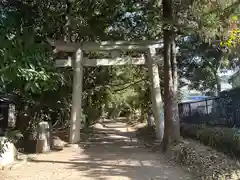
[201, 62]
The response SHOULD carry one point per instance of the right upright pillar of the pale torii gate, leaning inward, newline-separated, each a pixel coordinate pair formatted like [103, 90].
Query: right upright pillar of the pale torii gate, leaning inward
[155, 93]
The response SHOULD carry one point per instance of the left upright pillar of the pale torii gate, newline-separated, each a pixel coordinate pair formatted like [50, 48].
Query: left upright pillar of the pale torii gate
[74, 135]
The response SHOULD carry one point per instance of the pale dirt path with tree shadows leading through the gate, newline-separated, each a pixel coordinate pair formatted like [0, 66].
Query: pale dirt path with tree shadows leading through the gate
[114, 154]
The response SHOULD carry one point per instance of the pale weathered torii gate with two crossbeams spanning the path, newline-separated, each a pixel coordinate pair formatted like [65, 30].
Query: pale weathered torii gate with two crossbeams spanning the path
[78, 62]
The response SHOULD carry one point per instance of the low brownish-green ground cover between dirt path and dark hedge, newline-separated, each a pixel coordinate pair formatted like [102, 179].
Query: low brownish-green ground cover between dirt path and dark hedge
[204, 162]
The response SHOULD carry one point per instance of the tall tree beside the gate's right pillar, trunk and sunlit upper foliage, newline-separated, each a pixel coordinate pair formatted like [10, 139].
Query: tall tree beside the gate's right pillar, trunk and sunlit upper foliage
[206, 18]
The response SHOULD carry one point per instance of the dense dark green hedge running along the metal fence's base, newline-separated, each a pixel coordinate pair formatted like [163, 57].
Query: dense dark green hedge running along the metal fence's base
[221, 138]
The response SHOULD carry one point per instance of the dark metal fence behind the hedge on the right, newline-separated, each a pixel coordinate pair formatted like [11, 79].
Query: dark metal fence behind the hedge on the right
[224, 111]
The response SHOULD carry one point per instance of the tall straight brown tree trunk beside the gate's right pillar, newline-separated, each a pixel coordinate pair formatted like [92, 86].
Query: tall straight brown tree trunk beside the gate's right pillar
[171, 118]
